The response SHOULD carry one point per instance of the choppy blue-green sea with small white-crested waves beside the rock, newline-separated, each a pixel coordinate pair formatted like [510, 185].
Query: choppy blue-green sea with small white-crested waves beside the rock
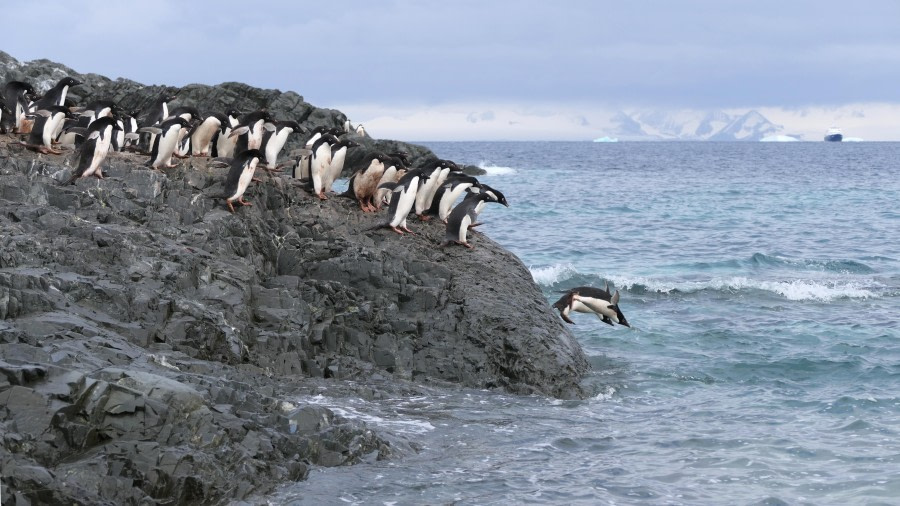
[762, 283]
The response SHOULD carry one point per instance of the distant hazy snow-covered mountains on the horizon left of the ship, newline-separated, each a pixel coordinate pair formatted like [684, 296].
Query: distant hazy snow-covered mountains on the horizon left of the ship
[692, 125]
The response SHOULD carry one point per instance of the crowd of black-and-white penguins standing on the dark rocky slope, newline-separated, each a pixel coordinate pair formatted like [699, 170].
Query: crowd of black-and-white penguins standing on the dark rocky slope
[51, 123]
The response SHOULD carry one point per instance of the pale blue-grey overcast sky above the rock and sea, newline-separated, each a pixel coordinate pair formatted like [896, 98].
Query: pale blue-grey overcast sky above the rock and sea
[469, 70]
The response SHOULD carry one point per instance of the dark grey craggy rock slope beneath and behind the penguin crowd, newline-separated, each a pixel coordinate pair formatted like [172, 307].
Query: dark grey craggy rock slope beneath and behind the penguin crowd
[153, 345]
